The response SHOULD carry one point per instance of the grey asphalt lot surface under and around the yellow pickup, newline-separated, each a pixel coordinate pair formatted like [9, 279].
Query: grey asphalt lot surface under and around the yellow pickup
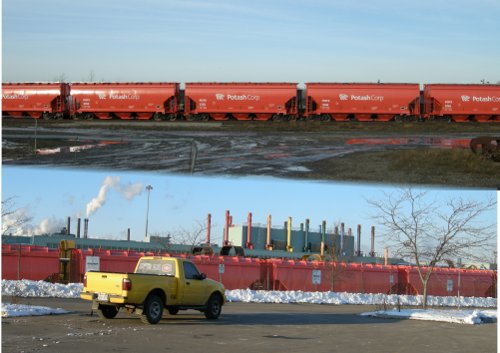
[242, 327]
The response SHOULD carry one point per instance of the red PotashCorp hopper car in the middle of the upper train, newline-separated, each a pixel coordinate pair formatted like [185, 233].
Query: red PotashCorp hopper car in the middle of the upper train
[240, 101]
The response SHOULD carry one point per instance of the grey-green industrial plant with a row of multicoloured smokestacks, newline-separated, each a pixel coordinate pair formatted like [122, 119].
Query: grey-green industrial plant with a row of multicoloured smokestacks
[252, 240]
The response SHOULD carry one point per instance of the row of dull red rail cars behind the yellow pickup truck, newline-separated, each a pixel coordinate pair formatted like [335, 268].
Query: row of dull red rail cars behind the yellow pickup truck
[41, 263]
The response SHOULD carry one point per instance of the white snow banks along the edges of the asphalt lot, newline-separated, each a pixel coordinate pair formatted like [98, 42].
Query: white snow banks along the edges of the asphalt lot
[26, 288]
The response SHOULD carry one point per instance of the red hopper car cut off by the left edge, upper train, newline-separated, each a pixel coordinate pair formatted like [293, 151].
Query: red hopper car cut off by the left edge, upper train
[35, 100]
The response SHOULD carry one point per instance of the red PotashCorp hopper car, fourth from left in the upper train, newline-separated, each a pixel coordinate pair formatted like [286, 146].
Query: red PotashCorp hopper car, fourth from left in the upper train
[362, 101]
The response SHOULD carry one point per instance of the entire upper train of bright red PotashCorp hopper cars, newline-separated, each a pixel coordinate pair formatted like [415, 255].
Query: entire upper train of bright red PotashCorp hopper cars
[253, 101]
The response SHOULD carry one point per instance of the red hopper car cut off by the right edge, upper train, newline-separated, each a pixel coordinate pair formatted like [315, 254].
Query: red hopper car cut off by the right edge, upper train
[462, 102]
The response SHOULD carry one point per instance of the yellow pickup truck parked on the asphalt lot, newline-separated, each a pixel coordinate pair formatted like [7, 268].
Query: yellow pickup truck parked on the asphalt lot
[157, 283]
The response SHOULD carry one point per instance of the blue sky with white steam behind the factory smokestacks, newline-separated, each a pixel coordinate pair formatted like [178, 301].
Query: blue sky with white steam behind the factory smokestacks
[179, 202]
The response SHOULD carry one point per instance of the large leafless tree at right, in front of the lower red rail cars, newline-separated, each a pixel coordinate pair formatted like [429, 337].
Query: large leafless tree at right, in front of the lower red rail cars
[431, 233]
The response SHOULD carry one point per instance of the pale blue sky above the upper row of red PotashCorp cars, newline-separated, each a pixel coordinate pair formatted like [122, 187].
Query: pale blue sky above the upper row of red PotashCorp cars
[260, 40]
